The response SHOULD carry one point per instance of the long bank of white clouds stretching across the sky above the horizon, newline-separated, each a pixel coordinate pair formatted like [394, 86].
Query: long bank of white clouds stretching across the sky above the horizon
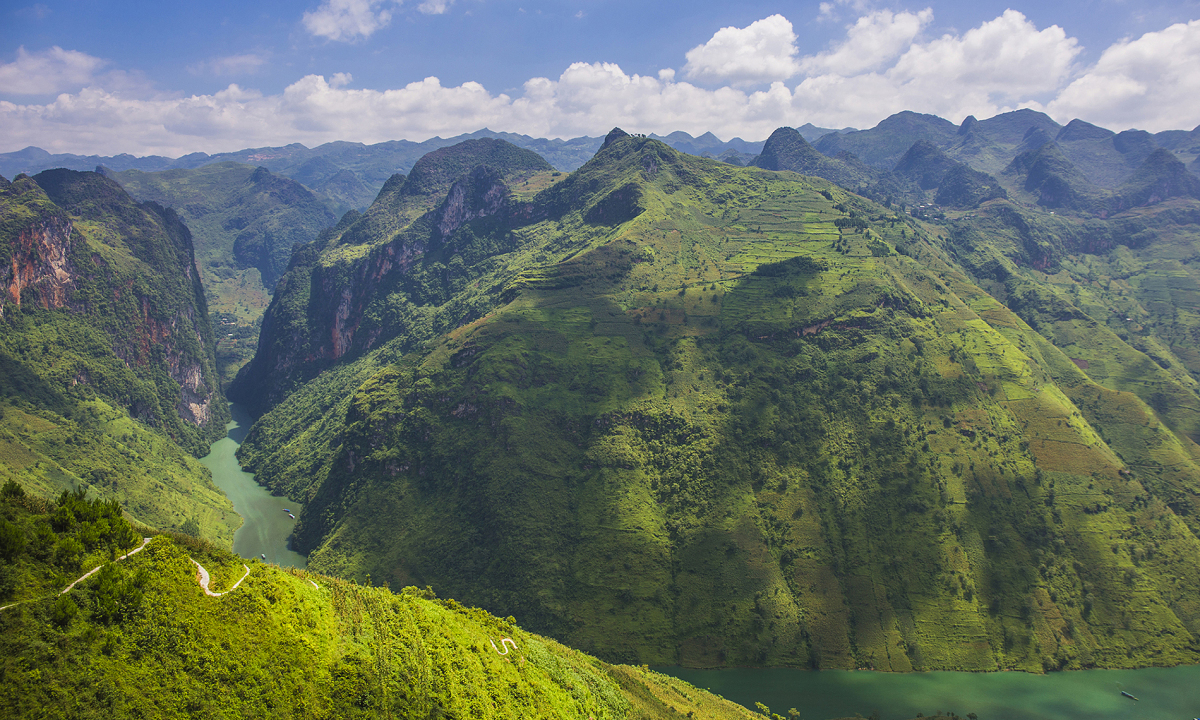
[742, 82]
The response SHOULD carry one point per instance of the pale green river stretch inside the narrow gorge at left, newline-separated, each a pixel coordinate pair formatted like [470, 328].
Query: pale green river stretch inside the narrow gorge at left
[266, 523]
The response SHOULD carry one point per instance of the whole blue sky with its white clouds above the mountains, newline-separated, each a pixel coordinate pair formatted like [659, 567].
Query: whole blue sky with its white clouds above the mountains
[153, 79]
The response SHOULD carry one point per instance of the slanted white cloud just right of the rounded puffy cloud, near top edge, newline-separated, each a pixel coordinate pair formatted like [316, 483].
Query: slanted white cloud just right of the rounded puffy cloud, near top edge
[874, 40]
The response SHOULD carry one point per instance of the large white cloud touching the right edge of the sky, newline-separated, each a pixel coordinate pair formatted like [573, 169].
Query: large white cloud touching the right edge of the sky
[1151, 83]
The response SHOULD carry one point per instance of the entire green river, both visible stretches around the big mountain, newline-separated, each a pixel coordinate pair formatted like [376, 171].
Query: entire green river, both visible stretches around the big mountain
[1163, 694]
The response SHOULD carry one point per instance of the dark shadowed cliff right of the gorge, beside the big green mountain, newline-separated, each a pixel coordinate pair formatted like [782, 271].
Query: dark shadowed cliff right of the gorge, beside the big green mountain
[355, 289]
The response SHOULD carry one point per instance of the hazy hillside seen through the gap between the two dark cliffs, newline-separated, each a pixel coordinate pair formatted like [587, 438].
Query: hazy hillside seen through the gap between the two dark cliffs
[245, 223]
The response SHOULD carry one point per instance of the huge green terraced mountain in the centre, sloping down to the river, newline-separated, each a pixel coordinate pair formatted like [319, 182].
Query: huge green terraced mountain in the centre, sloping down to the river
[722, 416]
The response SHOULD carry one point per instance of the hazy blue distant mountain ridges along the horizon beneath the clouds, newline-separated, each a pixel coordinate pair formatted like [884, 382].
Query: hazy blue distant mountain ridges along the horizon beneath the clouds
[352, 173]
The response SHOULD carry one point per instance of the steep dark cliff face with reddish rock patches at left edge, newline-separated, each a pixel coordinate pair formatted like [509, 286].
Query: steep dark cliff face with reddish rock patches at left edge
[77, 247]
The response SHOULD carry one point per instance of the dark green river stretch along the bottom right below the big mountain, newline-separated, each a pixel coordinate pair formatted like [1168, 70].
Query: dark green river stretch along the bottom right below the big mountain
[1163, 693]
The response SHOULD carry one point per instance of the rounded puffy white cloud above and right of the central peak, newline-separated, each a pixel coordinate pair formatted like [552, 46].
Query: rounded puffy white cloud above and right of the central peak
[760, 53]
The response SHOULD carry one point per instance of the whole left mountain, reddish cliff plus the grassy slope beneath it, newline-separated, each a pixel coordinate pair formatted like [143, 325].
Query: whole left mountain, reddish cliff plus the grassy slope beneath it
[109, 376]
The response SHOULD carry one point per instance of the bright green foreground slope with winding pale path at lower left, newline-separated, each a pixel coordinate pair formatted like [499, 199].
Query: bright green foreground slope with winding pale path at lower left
[140, 639]
